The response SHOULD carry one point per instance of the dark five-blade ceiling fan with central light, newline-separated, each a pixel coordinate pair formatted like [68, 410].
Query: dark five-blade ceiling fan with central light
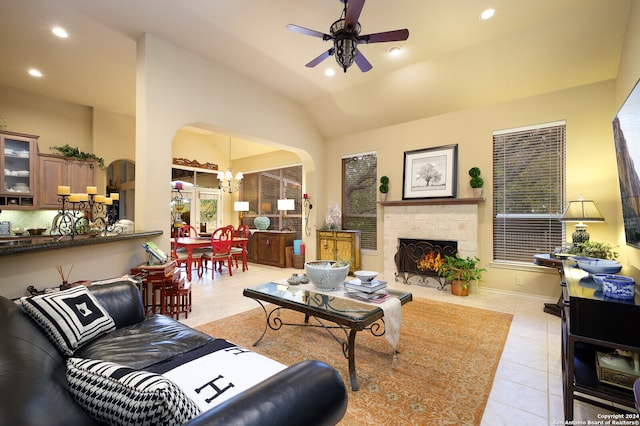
[345, 33]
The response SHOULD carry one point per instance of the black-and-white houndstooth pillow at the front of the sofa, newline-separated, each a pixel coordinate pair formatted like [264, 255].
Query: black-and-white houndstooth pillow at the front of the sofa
[115, 394]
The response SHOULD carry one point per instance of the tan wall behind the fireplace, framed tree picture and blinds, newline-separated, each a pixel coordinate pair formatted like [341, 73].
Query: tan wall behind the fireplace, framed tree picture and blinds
[591, 167]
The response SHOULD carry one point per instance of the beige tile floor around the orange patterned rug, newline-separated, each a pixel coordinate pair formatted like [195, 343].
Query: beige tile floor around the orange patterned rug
[527, 388]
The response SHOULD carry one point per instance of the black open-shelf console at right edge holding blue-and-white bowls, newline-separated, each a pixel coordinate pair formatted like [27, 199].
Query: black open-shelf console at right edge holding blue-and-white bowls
[593, 323]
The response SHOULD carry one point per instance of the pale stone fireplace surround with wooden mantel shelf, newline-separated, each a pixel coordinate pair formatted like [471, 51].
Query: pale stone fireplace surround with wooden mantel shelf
[435, 220]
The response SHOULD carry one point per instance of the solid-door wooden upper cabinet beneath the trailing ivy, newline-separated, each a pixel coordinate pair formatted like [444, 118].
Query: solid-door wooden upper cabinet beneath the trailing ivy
[54, 170]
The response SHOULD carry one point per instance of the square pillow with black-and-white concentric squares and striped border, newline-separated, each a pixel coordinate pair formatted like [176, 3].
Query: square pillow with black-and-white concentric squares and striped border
[70, 318]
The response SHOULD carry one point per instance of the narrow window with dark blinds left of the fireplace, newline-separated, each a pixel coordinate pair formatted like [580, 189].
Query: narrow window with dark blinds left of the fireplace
[359, 186]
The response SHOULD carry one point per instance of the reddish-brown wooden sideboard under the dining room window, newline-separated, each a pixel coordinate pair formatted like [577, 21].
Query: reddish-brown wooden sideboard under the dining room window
[268, 247]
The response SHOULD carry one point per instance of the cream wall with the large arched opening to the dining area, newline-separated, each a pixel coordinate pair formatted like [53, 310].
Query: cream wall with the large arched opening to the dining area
[176, 88]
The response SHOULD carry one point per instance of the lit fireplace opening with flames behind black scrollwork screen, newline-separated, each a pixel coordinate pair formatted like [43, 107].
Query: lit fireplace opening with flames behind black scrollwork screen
[420, 258]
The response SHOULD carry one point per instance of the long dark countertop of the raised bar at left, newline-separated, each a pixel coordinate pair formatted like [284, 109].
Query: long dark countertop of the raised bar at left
[21, 245]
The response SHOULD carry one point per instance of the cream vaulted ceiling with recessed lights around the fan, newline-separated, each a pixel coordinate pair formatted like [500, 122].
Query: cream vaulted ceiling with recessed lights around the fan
[451, 61]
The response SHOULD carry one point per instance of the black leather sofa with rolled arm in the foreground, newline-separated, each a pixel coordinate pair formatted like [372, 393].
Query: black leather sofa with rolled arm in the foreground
[34, 389]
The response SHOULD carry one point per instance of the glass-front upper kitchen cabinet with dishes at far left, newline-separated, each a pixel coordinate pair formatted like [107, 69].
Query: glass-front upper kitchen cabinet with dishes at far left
[18, 162]
